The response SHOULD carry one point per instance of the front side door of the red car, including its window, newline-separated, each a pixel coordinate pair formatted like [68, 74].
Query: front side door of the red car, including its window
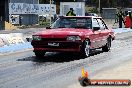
[95, 35]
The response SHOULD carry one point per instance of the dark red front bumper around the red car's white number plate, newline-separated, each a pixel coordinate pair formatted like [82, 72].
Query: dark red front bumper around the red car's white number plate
[64, 46]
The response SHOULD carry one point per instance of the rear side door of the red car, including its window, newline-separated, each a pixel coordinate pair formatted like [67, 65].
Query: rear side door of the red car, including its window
[103, 35]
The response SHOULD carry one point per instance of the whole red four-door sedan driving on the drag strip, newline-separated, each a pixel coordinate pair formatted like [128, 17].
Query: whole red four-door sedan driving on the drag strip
[73, 34]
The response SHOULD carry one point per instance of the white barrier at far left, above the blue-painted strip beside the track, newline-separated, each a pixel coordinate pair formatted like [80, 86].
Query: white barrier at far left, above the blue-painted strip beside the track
[12, 38]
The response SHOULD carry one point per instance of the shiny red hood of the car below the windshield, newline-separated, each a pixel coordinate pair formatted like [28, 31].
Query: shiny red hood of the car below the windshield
[62, 32]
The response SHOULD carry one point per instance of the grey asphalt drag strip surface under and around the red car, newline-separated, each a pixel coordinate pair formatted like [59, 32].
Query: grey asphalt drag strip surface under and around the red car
[60, 70]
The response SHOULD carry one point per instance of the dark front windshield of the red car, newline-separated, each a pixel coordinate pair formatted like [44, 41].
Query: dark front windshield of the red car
[73, 23]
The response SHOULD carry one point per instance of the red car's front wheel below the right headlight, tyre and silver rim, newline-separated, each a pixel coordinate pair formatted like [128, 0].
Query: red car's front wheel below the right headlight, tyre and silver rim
[85, 48]
